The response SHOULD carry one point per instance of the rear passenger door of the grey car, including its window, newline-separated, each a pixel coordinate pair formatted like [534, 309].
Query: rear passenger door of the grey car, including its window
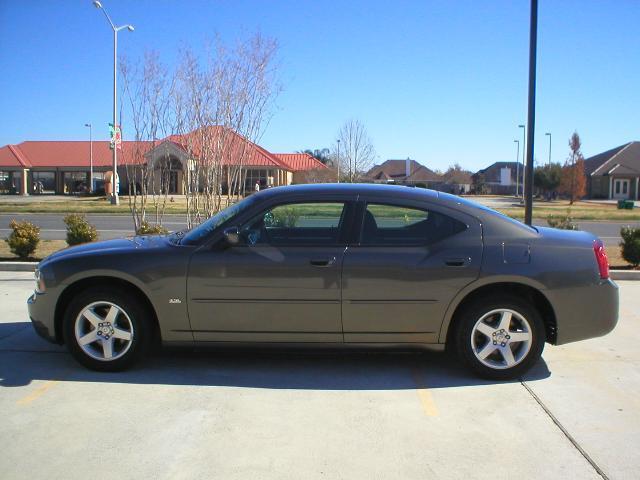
[408, 263]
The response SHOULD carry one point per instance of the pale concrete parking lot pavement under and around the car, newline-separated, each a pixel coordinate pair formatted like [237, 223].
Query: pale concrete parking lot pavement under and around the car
[246, 415]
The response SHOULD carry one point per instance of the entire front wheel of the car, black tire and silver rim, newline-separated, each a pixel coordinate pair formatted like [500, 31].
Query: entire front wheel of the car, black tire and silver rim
[106, 330]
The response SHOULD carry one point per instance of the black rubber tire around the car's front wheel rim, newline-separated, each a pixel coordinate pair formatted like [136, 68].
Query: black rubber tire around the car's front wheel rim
[135, 316]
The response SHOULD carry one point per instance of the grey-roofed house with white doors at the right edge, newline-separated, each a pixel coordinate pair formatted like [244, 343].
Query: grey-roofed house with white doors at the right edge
[614, 173]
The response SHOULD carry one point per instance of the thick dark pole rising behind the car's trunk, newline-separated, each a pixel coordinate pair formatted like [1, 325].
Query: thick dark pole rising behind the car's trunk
[533, 41]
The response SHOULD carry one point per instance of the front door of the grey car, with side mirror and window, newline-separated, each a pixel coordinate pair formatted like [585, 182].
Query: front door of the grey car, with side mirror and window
[280, 284]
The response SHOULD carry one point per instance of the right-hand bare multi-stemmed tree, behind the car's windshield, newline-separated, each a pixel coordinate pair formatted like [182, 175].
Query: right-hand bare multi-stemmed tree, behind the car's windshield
[219, 106]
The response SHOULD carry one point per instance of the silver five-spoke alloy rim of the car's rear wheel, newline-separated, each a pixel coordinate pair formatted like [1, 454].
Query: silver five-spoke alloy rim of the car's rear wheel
[501, 339]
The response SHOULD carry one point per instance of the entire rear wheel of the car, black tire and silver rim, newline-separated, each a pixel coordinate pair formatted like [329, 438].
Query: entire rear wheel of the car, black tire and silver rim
[499, 337]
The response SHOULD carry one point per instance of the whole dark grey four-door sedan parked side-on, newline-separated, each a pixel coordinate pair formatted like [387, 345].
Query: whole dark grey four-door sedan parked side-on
[333, 265]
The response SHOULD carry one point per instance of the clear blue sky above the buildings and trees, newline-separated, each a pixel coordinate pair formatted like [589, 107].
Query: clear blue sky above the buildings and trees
[439, 81]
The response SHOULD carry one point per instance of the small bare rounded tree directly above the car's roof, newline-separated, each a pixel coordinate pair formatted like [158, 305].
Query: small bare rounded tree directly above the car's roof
[356, 151]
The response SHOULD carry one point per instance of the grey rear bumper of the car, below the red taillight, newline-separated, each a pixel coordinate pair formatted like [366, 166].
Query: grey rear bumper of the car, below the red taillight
[585, 312]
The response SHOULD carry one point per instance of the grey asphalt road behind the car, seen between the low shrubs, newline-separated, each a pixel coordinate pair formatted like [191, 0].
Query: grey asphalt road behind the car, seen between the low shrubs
[114, 226]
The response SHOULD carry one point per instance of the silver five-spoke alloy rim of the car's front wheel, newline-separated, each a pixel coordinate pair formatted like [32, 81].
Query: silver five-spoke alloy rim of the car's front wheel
[104, 331]
